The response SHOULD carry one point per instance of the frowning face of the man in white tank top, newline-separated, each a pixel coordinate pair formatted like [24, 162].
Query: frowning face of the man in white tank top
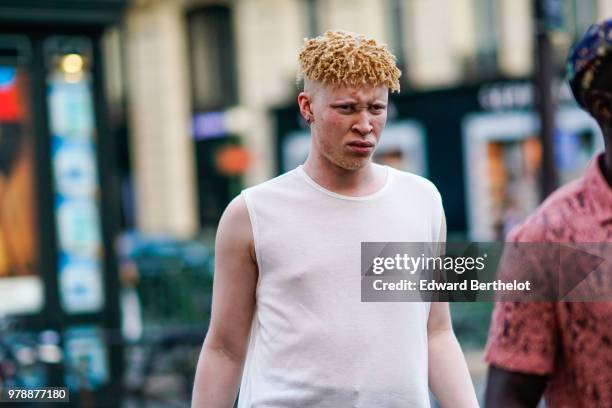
[347, 123]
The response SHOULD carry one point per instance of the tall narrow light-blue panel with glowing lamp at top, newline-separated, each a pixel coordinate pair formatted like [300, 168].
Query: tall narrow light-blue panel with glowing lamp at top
[73, 155]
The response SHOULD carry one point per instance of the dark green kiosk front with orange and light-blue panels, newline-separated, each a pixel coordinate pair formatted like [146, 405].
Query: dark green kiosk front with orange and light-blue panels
[58, 212]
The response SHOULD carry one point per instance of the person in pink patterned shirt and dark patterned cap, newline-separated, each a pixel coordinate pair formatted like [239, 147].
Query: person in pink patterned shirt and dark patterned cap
[564, 349]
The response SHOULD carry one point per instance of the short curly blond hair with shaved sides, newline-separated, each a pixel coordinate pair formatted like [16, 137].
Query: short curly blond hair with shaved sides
[345, 58]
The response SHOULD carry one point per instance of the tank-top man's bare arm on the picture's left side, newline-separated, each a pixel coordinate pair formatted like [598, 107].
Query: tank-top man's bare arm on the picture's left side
[220, 364]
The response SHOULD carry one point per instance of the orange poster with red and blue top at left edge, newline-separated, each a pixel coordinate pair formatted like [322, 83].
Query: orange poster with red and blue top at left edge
[21, 287]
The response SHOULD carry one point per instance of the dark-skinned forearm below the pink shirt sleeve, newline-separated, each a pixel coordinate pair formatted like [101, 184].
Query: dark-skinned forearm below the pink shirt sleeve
[513, 390]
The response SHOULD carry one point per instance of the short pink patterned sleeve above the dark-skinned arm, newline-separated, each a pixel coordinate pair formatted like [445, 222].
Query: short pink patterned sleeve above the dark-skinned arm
[523, 336]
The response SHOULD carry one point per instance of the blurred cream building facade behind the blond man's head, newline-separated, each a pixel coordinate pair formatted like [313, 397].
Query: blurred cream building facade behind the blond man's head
[200, 75]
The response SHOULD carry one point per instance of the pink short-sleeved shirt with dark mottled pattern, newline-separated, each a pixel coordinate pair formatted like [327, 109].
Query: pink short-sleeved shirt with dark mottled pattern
[569, 342]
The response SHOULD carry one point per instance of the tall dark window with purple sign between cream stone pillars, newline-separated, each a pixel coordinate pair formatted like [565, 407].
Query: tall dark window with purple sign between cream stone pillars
[214, 89]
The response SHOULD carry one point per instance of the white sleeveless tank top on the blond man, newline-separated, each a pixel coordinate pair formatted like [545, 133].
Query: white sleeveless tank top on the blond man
[313, 343]
